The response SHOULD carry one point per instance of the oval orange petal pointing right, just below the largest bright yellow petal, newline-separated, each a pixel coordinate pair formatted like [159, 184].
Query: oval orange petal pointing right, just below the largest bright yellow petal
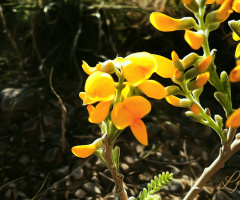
[153, 89]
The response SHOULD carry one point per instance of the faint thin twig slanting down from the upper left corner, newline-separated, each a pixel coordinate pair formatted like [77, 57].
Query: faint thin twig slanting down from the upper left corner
[10, 38]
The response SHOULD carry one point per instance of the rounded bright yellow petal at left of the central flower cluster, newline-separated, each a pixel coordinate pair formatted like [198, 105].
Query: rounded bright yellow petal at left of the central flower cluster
[100, 87]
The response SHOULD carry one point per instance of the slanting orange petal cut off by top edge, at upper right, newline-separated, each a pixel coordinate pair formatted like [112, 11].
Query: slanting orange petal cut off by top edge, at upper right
[224, 11]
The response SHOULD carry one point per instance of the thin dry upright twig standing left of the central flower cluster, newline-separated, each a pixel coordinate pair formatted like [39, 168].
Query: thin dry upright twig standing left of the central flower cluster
[64, 110]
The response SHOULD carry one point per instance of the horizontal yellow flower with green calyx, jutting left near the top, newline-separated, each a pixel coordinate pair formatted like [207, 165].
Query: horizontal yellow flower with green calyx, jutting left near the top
[165, 23]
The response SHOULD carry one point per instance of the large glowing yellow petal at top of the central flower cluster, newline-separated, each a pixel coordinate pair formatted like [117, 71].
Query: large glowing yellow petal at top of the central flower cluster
[138, 67]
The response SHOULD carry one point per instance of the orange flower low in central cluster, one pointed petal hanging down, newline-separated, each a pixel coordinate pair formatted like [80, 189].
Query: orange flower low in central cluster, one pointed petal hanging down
[129, 113]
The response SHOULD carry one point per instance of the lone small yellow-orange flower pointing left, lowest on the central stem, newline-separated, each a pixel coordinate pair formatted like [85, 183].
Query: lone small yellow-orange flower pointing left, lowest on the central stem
[83, 151]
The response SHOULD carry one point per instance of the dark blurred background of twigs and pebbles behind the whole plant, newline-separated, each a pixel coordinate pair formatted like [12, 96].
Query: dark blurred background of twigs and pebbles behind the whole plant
[37, 36]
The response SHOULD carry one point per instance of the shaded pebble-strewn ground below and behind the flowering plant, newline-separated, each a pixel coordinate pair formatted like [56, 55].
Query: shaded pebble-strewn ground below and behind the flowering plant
[33, 165]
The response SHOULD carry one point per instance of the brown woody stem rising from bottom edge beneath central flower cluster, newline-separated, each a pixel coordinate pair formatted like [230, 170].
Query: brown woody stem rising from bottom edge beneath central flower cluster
[118, 178]
